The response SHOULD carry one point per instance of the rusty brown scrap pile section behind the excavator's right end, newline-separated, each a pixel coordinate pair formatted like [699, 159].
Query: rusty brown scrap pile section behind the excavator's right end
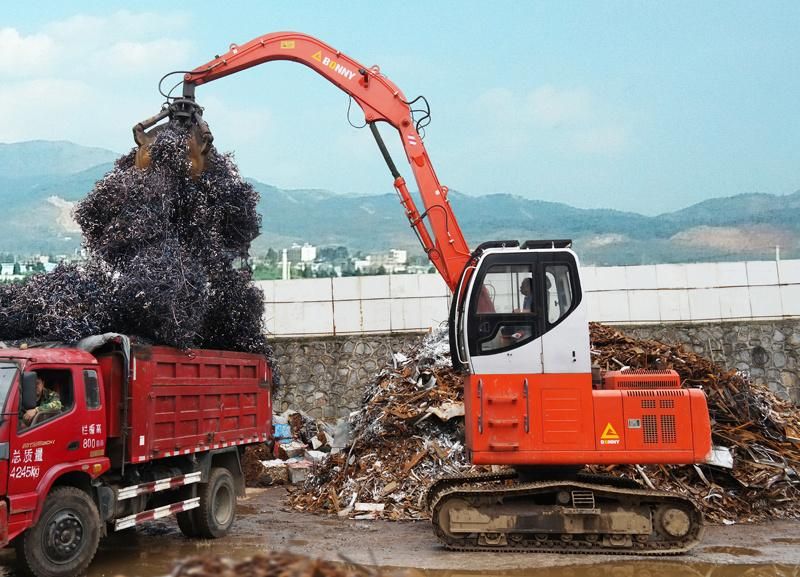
[761, 431]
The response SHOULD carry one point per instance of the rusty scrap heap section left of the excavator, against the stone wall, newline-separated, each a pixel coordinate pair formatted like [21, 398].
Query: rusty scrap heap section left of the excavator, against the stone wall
[408, 433]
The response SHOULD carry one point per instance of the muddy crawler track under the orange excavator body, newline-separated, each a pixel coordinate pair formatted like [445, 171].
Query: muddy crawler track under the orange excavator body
[607, 515]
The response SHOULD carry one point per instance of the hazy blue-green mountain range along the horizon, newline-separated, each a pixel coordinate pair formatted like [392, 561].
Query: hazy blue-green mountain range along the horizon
[41, 180]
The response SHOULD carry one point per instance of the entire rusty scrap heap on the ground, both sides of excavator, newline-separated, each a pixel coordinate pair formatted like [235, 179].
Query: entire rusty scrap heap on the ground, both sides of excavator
[405, 437]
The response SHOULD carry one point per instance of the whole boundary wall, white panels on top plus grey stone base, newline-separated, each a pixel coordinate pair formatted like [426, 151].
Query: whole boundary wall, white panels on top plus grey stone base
[331, 335]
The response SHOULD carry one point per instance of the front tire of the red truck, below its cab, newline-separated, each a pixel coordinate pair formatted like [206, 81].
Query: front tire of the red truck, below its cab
[64, 540]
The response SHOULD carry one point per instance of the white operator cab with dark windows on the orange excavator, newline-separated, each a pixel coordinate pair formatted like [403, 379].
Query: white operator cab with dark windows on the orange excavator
[520, 310]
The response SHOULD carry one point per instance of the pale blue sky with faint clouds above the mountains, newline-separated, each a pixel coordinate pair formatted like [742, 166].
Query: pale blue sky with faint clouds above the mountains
[641, 106]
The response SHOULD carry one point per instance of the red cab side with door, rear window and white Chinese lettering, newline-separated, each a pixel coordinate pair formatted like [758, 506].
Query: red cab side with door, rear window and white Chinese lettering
[72, 433]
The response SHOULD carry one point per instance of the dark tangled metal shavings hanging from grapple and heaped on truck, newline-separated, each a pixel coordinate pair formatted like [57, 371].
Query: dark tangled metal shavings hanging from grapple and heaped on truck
[165, 259]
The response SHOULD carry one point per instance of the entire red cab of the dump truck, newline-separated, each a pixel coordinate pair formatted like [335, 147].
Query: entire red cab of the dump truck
[65, 444]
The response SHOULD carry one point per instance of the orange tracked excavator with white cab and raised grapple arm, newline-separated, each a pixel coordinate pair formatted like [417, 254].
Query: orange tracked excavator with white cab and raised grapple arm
[518, 328]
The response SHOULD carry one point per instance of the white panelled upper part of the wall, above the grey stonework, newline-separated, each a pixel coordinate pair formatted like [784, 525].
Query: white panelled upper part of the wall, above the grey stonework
[664, 293]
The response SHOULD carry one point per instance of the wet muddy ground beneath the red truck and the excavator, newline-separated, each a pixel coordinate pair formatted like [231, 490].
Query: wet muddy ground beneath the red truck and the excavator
[265, 523]
